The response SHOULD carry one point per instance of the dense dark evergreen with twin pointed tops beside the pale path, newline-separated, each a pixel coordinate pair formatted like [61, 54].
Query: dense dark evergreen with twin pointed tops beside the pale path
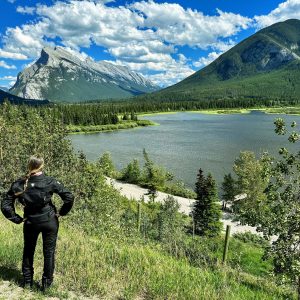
[206, 211]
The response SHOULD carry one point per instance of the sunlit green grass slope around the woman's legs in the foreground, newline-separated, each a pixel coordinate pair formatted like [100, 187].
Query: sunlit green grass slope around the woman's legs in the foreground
[133, 269]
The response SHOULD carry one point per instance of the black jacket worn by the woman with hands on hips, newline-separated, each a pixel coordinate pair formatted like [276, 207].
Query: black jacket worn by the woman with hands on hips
[36, 198]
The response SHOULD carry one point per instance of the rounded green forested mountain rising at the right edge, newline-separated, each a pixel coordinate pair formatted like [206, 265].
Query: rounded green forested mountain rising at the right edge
[264, 66]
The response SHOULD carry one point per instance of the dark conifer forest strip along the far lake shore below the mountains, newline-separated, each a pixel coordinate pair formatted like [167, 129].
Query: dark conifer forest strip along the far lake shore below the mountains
[101, 113]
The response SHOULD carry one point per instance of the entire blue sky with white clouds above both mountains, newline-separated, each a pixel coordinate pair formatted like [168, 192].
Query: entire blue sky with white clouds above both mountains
[166, 41]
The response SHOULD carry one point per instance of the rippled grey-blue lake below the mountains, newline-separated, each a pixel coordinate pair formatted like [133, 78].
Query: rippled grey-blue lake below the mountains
[185, 142]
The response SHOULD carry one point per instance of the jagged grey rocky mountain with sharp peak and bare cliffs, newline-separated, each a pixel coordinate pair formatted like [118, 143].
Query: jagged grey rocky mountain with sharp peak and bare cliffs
[60, 75]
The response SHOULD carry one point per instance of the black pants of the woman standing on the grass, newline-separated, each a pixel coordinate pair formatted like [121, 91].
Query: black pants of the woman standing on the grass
[31, 232]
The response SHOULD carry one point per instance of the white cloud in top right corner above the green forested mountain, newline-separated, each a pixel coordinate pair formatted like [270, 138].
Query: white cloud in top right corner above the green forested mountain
[289, 9]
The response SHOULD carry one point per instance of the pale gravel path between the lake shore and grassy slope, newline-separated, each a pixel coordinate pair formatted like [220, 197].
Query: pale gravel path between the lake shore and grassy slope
[132, 191]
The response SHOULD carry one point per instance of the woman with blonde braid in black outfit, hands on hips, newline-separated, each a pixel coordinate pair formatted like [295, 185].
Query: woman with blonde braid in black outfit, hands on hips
[34, 192]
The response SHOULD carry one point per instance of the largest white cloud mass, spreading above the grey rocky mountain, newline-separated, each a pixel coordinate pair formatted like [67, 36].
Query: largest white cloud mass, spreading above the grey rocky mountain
[142, 35]
